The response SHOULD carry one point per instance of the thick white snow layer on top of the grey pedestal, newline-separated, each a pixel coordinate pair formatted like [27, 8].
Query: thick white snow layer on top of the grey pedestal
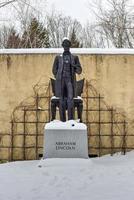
[68, 125]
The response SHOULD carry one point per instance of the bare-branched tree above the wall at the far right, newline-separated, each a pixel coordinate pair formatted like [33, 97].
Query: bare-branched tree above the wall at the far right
[115, 22]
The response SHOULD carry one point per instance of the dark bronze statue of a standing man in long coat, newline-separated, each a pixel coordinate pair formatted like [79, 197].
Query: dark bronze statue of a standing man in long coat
[65, 68]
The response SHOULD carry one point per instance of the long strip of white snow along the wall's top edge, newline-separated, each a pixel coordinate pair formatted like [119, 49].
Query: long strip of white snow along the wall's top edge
[73, 50]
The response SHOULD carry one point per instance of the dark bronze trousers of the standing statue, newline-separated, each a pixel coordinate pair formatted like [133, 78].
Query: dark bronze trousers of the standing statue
[67, 86]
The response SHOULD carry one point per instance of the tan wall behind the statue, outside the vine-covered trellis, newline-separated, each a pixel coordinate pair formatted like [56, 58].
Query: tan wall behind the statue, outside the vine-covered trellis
[112, 75]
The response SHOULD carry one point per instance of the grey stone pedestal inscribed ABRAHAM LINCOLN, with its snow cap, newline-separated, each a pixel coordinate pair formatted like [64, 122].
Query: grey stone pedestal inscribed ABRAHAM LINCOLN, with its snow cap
[65, 140]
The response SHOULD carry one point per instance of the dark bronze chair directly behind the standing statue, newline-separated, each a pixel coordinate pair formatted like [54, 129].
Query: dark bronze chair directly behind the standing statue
[78, 102]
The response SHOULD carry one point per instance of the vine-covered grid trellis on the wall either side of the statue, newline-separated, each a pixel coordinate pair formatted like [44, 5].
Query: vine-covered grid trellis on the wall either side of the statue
[107, 129]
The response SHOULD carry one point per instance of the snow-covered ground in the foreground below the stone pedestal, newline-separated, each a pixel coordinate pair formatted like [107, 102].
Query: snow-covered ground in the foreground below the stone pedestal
[105, 178]
